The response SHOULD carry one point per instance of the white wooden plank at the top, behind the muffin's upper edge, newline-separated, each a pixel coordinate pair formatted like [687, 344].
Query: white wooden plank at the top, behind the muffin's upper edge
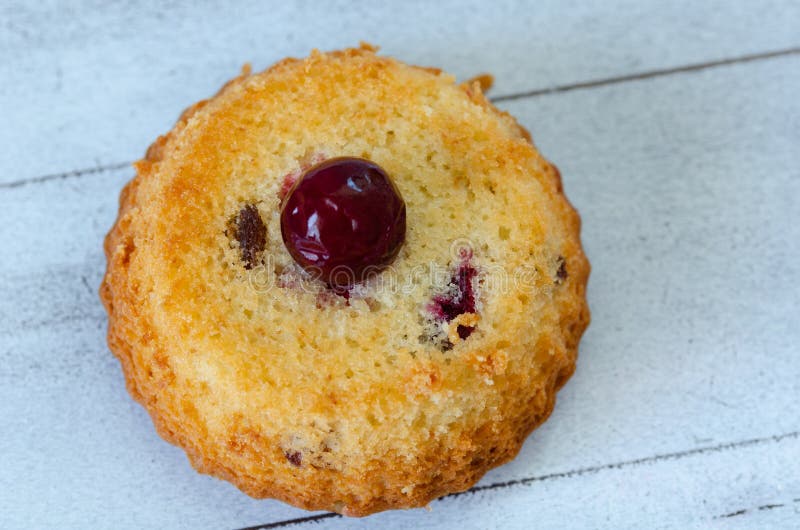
[90, 84]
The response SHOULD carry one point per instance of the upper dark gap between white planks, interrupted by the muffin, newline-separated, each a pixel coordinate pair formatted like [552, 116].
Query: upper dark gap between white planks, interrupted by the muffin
[649, 74]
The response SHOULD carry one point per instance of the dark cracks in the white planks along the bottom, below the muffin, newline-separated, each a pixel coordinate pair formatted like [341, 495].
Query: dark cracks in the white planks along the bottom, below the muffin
[731, 446]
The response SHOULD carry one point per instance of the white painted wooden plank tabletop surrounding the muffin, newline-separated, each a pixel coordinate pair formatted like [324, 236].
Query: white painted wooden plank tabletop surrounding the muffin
[677, 128]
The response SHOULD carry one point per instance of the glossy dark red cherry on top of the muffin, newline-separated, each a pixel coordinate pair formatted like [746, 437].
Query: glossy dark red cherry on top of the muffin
[343, 220]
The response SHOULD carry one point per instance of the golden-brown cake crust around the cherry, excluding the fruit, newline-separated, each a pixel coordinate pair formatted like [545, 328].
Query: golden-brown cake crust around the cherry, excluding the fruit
[323, 440]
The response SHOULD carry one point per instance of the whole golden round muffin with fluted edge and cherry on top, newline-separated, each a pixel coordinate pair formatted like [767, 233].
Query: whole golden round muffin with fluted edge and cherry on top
[374, 360]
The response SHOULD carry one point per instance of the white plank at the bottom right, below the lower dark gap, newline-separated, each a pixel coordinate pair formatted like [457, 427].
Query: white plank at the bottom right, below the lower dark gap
[675, 491]
